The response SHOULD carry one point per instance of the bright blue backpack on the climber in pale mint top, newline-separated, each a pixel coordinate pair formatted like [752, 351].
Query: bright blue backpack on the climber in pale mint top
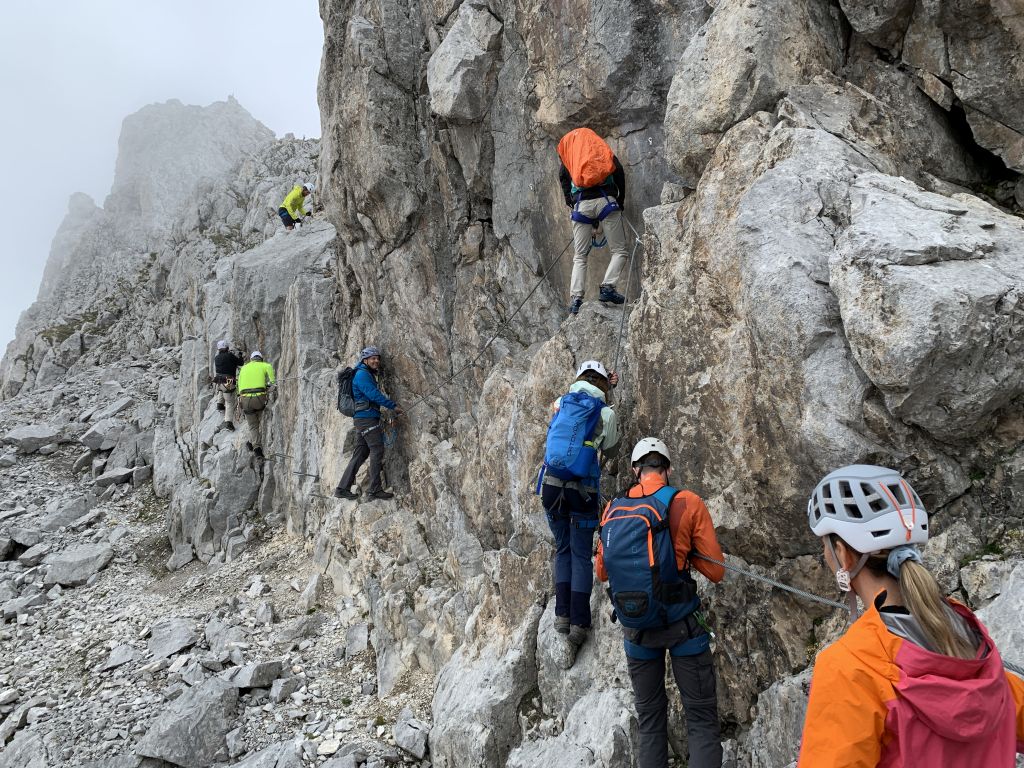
[569, 452]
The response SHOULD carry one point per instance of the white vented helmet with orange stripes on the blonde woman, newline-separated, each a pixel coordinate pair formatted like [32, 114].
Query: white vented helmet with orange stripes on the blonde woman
[870, 508]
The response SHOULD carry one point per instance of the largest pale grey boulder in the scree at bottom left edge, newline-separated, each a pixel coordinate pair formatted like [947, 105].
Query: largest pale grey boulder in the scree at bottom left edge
[191, 732]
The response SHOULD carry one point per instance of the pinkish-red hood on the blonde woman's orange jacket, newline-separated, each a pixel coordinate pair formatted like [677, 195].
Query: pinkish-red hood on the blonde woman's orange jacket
[954, 698]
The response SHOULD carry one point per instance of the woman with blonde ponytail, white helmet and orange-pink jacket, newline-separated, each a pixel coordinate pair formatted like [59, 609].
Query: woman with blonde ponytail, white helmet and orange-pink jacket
[917, 680]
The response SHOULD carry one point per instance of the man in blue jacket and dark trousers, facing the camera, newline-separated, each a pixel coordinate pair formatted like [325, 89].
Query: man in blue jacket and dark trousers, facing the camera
[367, 422]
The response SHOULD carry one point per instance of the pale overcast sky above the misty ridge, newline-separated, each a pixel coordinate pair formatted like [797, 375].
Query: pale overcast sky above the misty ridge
[74, 70]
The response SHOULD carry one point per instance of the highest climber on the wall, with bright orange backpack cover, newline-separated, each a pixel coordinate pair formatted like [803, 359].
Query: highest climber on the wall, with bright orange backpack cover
[594, 187]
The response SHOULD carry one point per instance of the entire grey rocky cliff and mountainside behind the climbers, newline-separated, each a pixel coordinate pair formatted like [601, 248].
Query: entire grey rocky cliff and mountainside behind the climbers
[835, 276]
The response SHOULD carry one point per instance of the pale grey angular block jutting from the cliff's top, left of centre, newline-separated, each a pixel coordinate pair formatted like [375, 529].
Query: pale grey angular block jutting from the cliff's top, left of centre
[461, 71]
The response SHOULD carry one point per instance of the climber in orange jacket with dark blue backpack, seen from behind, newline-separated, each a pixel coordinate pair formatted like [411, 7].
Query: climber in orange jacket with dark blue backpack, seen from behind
[655, 598]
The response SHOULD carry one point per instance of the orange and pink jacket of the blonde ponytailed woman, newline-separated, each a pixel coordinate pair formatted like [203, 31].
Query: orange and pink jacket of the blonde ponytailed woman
[879, 701]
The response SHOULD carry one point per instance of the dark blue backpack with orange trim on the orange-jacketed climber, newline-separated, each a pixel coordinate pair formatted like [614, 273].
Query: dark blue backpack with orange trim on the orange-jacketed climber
[647, 588]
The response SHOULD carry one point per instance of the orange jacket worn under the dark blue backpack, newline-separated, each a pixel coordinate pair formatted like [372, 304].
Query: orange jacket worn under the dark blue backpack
[691, 526]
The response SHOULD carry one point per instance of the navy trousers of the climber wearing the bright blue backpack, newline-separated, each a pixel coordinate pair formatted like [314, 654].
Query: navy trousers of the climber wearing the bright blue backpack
[573, 520]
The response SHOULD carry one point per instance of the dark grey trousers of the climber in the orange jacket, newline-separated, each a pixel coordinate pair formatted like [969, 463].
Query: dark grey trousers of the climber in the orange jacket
[696, 679]
